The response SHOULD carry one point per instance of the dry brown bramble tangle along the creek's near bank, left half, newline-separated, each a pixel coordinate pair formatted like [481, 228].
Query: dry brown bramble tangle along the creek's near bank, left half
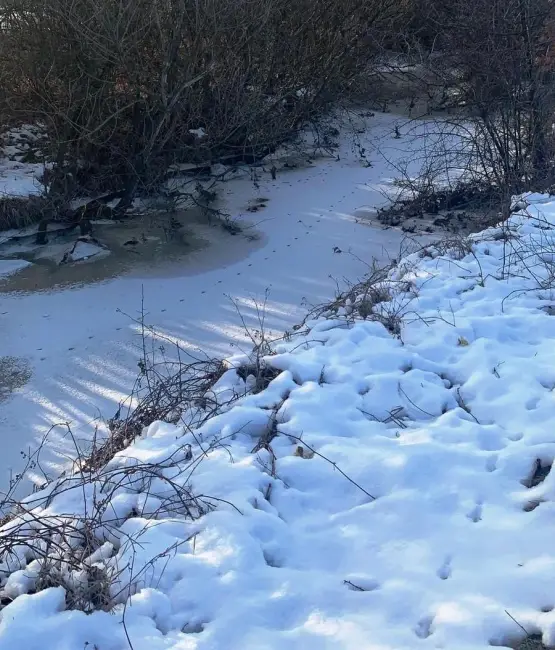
[46, 540]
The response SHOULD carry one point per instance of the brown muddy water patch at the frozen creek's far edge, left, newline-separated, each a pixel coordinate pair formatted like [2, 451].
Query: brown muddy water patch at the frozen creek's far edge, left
[182, 243]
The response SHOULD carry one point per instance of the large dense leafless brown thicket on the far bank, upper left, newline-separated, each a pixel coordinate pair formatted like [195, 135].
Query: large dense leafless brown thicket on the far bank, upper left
[126, 89]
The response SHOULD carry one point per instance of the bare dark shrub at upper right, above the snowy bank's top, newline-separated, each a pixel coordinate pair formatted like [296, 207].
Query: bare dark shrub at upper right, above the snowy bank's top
[498, 98]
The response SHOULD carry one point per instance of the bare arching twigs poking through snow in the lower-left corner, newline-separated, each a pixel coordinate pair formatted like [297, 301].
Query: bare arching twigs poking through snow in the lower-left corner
[69, 534]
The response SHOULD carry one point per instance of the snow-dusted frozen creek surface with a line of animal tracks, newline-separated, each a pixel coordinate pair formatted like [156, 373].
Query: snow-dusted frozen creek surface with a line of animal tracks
[82, 345]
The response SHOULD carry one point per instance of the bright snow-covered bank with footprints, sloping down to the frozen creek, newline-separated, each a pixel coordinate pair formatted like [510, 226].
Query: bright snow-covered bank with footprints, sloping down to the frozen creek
[414, 516]
